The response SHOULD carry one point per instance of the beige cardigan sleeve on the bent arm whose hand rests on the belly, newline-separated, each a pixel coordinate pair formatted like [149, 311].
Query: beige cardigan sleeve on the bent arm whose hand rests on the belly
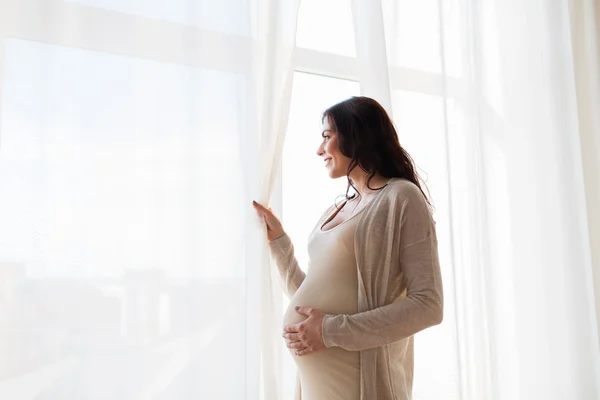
[423, 305]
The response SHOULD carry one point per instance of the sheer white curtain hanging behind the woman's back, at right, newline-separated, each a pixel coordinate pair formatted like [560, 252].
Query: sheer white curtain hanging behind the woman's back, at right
[509, 172]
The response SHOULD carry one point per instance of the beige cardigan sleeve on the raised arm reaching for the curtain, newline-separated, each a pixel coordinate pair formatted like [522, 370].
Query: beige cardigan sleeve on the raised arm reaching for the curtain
[292, 276]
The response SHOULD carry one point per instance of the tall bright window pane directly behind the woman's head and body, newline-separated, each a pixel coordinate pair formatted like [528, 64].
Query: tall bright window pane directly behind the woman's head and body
[307, 191]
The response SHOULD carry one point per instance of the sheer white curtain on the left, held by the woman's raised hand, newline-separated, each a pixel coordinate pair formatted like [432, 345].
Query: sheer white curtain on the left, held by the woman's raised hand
[133, 137]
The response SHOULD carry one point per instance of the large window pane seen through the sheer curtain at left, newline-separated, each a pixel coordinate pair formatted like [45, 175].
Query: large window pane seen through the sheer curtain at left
[114, 163]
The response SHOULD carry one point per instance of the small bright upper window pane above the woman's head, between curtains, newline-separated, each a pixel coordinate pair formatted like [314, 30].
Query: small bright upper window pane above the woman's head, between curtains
[326, 25]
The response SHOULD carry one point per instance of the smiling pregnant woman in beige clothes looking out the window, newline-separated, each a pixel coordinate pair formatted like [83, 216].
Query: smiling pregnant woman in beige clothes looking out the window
[374, 277]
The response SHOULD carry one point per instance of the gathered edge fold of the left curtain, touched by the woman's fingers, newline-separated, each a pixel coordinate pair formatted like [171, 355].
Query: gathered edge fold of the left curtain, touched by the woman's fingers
[276, 32]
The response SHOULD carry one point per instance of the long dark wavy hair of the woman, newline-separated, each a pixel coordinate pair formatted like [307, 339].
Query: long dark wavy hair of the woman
[367, 136]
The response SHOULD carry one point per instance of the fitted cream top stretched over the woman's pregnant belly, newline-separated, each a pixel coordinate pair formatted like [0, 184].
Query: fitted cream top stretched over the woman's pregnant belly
[331, 286]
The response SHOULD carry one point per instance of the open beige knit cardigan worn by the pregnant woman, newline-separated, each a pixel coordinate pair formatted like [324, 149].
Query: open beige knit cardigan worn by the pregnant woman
[399, 288]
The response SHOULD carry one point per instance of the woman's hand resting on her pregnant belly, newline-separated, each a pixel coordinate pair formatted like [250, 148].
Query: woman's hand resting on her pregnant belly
[306, 337]
